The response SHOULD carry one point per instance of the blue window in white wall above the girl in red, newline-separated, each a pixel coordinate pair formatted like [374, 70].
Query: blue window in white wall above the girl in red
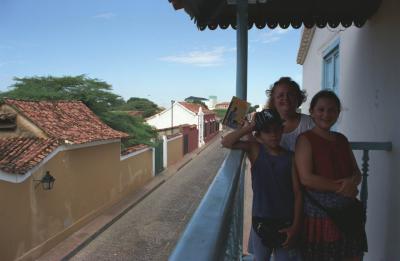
[330, 79]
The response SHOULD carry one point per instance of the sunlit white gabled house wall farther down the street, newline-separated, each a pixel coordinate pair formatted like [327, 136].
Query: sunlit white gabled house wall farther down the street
[180, 116]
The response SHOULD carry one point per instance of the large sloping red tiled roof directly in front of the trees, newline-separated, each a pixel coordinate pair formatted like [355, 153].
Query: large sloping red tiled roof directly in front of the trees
[66, 120]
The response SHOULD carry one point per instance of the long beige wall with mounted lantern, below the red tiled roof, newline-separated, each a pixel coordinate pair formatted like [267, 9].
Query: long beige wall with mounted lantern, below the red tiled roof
[87, 181]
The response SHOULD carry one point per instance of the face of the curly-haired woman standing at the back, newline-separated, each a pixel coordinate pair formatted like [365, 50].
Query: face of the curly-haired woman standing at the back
[284, 99]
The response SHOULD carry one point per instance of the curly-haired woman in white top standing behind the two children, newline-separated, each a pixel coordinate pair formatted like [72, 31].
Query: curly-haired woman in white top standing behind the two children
[286, 97]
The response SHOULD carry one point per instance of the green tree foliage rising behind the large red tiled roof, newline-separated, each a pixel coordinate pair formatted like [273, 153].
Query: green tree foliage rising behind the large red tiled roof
[96, 94]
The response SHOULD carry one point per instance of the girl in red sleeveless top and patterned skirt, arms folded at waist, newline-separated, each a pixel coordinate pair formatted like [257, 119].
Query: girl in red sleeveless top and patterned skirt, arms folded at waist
[328, 170]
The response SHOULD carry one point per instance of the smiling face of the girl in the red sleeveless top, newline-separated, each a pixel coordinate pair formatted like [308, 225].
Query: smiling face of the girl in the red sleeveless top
[325, 113]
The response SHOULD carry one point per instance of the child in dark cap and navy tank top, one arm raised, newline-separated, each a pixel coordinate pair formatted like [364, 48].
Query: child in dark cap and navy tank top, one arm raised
[276, 189]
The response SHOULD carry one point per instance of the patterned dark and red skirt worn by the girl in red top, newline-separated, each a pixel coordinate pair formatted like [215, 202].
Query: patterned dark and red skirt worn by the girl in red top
[322, 240]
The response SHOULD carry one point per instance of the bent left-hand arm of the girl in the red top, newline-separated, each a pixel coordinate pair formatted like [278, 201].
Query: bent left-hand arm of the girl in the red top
[303, 159]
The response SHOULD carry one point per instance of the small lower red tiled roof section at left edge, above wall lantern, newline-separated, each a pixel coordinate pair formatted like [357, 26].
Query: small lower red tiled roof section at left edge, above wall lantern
[18, 155]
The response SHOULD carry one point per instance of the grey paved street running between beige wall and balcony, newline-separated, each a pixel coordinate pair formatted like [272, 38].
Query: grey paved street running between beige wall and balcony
[151, 229]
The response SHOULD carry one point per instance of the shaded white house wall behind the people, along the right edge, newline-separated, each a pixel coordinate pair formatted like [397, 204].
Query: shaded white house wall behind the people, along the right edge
[369, 88]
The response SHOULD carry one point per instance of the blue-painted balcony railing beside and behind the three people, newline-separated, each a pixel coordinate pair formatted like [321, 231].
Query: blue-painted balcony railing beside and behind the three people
[215, 231]
